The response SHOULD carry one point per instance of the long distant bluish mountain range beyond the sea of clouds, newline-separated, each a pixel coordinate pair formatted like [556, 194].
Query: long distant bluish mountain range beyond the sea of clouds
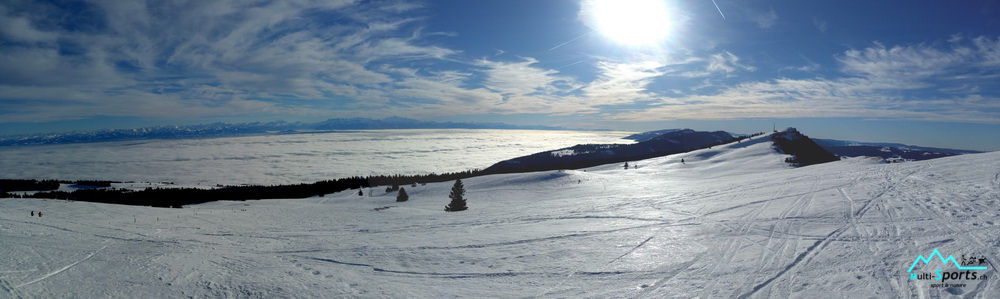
[251, 128]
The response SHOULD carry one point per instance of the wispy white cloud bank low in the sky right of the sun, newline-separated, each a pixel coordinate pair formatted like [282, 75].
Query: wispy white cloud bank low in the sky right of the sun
[876, 85]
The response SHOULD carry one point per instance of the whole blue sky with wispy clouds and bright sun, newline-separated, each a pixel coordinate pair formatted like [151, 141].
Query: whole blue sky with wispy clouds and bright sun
[918, 72]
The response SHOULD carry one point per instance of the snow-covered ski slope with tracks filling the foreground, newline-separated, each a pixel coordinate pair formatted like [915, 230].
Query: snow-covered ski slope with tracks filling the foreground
[732, 221]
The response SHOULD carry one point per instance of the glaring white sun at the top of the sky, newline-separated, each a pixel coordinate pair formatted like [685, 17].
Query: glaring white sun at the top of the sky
[629, 22]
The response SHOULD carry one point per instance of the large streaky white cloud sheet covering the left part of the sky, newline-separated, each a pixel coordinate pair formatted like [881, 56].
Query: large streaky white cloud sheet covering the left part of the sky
[202, 58]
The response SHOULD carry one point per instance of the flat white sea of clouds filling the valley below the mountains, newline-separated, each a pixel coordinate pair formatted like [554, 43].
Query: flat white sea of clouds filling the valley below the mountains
[289, 158]
